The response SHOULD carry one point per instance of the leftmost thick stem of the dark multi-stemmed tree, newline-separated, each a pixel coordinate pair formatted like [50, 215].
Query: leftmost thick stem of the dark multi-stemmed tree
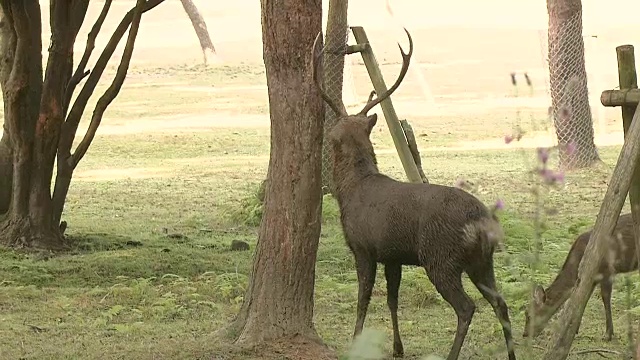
[22, 92]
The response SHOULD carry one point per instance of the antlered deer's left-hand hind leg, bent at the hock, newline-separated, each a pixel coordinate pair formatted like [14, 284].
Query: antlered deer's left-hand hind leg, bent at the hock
[448, 282]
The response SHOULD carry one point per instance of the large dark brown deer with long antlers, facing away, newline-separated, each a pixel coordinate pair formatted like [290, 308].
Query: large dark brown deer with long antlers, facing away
[443, 229]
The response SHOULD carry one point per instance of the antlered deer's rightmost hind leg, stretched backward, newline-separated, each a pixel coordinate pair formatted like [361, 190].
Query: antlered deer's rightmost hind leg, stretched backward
[483, 277]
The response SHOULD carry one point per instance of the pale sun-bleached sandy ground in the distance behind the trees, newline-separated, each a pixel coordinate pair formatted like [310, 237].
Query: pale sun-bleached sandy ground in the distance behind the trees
[464, 52]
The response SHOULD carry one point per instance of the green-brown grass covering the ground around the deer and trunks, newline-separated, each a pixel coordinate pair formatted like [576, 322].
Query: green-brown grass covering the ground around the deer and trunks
[152, 215]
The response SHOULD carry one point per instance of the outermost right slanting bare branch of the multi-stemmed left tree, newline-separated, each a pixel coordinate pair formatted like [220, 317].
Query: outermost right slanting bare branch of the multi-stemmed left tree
[113, 90]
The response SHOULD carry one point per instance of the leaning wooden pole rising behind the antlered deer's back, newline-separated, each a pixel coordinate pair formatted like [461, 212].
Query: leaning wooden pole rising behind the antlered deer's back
[398, 135]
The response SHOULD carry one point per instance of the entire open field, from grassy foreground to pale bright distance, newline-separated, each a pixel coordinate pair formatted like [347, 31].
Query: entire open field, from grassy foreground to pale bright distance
[170, 181]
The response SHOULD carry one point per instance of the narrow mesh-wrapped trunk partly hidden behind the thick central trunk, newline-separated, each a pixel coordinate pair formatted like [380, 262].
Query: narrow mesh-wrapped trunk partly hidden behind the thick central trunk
[333, 73]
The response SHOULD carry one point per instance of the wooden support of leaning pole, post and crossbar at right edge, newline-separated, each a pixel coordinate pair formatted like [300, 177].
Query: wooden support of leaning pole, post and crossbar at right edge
[619, 186]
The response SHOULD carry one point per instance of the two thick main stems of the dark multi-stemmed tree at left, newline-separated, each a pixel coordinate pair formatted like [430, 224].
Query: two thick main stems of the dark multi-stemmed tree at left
[33, 114]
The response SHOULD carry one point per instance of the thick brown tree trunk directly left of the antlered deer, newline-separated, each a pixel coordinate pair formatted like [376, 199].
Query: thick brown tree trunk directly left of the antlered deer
[279, 300]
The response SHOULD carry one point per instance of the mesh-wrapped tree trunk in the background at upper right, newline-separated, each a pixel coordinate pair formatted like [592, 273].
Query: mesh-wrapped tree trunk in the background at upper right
[568, 83]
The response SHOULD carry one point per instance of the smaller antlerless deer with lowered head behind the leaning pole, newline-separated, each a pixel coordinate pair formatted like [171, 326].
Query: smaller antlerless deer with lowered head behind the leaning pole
[621, 259]
